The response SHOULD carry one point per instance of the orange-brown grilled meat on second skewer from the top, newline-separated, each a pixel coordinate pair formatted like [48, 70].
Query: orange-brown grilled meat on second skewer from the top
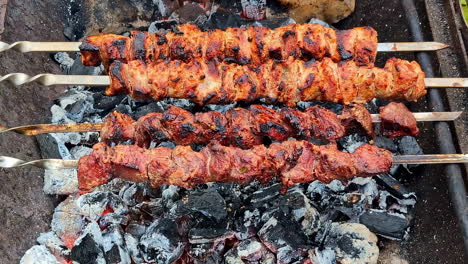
[288, 82]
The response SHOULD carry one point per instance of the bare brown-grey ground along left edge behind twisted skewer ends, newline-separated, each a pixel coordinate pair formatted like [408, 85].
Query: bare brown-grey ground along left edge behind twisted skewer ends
[25, 209]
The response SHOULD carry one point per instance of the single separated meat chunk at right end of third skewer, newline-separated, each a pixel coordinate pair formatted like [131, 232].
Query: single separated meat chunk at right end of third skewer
[397, 121]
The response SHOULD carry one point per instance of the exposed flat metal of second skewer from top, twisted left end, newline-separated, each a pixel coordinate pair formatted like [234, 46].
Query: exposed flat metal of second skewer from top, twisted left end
[104, 80]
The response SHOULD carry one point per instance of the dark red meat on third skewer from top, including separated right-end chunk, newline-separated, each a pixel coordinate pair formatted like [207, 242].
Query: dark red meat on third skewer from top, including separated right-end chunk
[245, 128]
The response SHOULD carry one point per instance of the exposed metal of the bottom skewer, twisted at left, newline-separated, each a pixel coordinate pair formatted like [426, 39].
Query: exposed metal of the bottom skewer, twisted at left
[56, 164]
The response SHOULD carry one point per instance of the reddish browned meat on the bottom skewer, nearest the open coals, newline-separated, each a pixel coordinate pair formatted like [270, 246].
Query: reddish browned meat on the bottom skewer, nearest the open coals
[290, 161]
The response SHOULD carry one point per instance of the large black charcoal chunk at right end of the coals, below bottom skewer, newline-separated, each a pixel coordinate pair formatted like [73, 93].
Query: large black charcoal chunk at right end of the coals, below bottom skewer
[386, 224]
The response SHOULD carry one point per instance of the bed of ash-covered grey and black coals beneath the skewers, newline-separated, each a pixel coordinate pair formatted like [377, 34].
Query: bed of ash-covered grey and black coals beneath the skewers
[125, 222]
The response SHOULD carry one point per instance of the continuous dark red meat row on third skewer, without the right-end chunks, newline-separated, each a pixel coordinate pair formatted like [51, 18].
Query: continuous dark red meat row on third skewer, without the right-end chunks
[243, 128]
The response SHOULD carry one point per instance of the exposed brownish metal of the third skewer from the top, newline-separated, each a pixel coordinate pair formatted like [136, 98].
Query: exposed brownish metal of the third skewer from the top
[32, 130]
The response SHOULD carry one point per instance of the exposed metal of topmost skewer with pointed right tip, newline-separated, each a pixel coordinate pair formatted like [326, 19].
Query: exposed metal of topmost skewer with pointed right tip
[45, 46]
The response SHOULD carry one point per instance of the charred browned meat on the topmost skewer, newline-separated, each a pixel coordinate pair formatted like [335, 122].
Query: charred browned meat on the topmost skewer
[252, 45]
